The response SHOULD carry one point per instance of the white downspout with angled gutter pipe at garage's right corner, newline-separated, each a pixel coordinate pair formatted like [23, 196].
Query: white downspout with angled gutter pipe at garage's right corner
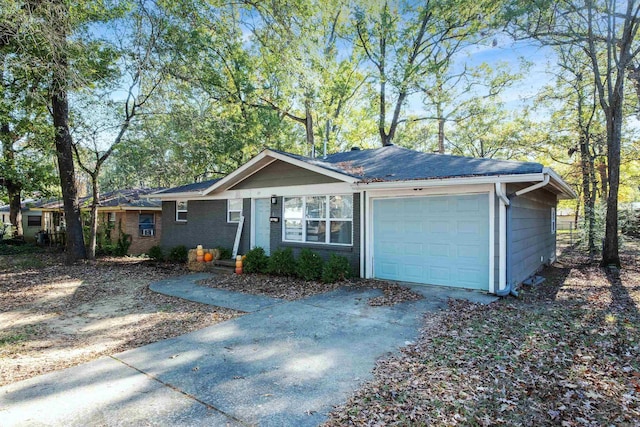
[505, 284]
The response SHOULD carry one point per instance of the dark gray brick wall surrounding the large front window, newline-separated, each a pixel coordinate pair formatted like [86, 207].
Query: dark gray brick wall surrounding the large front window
[352, 253]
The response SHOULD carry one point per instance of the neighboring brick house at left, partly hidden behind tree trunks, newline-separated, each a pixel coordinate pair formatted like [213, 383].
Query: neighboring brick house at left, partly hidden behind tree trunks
[121, 210]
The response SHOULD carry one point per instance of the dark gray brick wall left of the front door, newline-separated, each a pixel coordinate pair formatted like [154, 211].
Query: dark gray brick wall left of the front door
[206, 225]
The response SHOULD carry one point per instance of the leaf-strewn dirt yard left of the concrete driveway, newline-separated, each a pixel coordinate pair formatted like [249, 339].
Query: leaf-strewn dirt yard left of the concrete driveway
[53, 316]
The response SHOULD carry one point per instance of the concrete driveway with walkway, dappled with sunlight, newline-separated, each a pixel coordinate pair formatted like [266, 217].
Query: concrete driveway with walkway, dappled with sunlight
[283, 364]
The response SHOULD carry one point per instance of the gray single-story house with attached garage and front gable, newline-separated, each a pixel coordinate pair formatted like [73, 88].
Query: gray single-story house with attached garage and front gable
[395, 213]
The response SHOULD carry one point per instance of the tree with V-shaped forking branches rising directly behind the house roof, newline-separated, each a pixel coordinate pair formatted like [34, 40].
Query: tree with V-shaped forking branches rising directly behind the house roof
[406, 44]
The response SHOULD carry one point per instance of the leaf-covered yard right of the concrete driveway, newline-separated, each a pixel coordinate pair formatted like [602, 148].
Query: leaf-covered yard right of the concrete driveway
[566, 353]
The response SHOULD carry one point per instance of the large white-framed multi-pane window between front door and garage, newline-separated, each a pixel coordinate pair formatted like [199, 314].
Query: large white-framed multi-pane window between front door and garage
[318, 219]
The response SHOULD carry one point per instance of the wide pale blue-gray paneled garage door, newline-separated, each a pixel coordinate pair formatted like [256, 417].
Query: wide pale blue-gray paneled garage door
[439, 240]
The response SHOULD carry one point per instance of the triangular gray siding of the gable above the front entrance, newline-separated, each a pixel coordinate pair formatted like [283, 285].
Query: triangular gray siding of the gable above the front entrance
[280, 174]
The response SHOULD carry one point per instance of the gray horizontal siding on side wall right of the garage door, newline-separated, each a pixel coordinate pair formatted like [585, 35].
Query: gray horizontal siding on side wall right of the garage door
[531, 243]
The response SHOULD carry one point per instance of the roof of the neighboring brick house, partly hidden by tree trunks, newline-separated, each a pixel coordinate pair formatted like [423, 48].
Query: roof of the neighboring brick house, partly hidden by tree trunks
[130, 198]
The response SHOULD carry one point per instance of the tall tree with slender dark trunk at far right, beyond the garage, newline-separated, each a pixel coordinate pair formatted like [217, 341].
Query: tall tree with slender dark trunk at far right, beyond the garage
[606, 31]
